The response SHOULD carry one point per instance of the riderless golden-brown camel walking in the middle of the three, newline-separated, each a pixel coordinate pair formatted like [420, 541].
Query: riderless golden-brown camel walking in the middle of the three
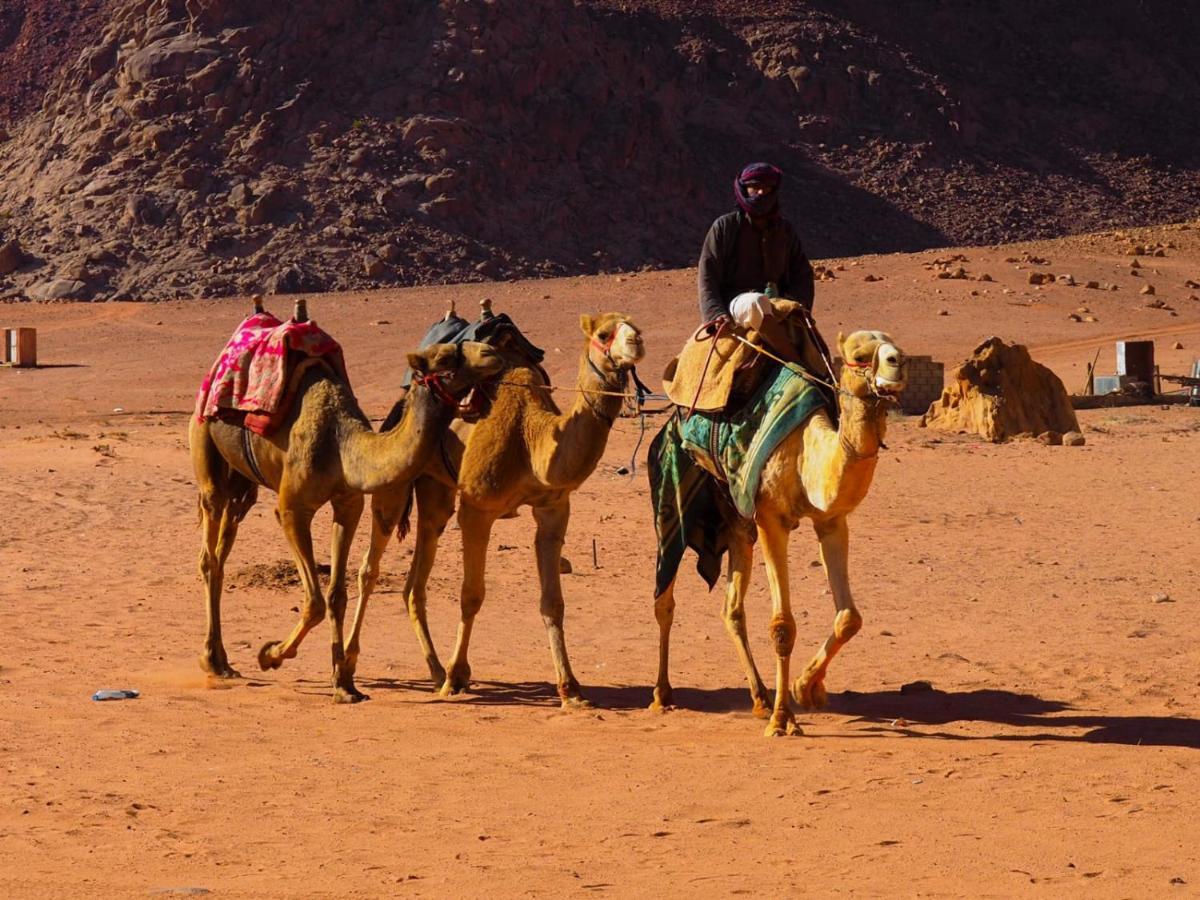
[524, 453]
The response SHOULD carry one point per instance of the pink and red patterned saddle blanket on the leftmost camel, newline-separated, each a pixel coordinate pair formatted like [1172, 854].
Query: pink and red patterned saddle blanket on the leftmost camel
[255, 377]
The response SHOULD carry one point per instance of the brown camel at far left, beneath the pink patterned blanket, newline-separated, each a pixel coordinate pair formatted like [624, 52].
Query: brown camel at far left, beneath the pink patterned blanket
[325, 452]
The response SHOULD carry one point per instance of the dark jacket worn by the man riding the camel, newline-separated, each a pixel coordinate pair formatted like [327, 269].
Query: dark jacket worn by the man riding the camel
[739, 256]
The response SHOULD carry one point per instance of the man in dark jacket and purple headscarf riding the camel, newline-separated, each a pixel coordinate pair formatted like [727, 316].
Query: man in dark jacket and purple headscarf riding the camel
[752, 255]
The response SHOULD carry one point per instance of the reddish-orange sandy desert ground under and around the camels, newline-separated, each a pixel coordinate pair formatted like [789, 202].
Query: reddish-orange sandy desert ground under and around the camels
[1055, 758]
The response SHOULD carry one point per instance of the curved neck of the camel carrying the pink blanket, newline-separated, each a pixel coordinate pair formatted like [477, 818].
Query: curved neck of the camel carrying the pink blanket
[375, 463]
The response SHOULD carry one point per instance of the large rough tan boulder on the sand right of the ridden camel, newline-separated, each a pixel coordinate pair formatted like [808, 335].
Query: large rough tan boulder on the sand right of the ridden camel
[999, 393]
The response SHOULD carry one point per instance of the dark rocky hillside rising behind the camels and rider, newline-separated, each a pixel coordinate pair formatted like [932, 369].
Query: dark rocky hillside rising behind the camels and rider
[219, 147]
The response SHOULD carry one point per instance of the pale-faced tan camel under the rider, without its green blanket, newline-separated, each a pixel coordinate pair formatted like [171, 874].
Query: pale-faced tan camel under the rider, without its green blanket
[823, 473]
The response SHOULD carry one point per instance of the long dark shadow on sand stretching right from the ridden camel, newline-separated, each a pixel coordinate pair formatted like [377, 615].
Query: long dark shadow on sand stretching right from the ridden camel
[1046, 719]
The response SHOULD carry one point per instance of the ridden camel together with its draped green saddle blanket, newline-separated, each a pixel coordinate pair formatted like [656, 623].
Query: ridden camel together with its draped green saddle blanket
[719, 481]
